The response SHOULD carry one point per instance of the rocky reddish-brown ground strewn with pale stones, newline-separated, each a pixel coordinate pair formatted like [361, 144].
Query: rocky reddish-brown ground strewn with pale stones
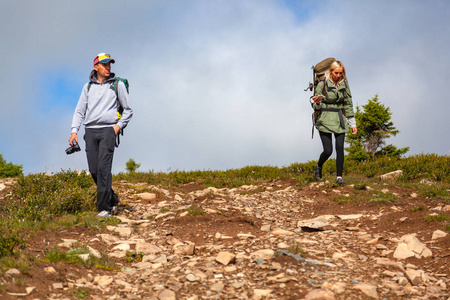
[271, 241]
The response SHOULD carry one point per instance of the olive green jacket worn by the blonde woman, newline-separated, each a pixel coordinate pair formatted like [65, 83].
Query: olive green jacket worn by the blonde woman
[337, 97]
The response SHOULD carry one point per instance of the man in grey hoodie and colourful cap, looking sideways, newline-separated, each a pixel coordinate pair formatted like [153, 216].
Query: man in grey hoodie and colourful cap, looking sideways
[98, 107]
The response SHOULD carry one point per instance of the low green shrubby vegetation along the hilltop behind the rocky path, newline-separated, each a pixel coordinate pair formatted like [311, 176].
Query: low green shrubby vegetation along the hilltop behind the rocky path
[40, 202]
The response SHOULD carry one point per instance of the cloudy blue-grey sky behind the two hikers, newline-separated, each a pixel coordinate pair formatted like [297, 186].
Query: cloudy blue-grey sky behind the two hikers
[218, 84]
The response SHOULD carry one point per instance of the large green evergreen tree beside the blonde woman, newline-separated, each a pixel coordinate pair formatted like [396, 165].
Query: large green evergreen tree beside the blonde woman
[374, 125]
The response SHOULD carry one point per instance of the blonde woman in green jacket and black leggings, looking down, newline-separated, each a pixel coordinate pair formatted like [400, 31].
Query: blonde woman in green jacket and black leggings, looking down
[333, 103]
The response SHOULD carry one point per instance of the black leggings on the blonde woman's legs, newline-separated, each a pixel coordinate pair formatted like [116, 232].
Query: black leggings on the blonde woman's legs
[327, 144]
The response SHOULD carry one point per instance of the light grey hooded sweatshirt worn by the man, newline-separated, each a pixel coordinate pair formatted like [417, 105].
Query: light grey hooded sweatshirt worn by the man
[98, 106]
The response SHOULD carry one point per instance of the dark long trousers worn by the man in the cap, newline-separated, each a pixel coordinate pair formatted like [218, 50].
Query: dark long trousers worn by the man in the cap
[100, 143]
